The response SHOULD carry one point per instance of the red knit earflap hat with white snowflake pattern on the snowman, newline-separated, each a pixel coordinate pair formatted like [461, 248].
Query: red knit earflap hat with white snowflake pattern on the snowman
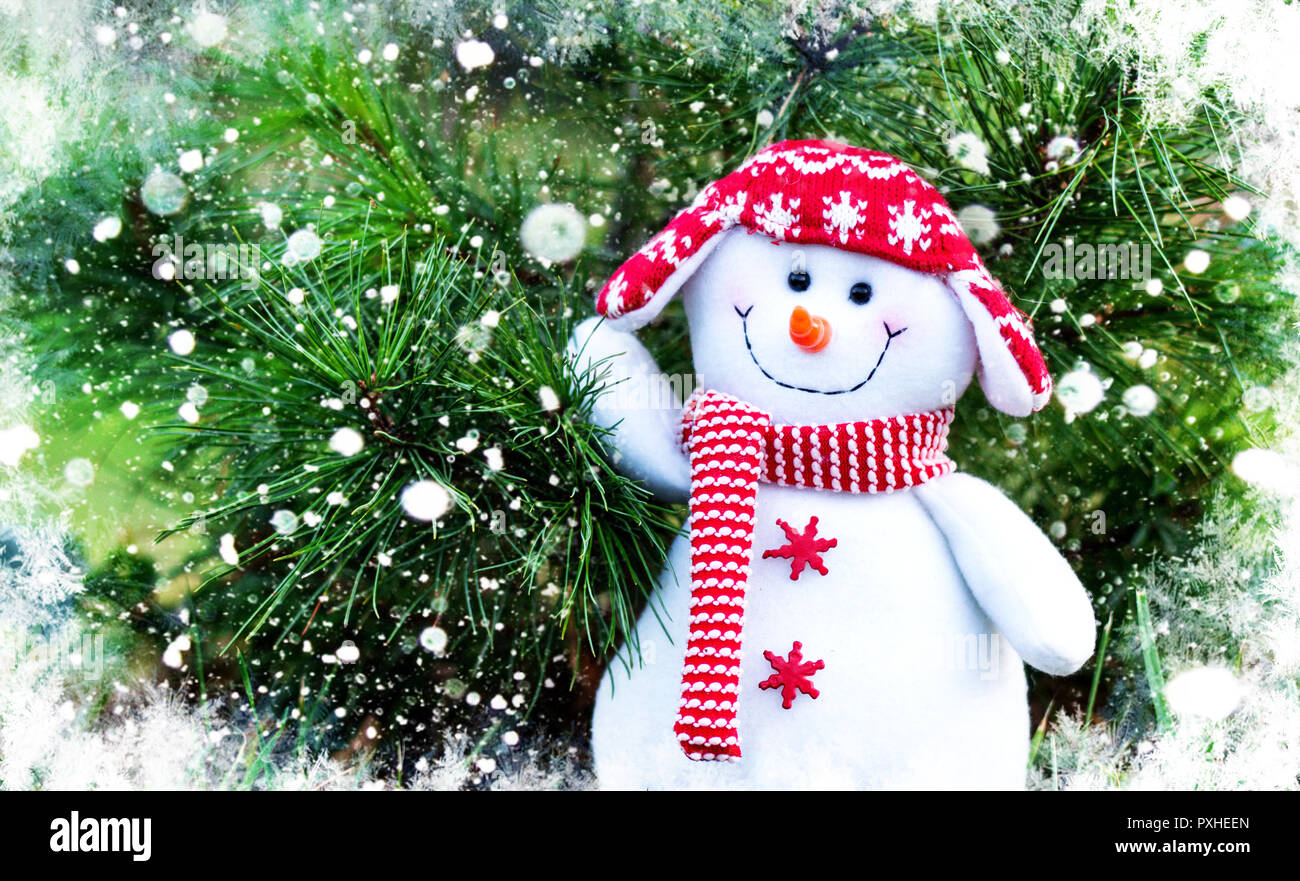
[821, 193]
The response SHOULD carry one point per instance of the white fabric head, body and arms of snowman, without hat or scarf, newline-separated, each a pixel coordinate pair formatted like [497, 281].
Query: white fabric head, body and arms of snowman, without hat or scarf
[933, 596]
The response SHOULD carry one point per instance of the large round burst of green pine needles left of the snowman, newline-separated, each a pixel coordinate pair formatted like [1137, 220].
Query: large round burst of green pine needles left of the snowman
[447, 377]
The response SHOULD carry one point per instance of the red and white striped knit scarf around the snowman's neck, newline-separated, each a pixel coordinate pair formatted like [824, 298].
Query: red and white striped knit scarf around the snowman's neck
[734, 446]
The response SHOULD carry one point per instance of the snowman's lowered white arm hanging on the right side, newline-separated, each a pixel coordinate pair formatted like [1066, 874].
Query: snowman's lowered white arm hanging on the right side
[1016, 574]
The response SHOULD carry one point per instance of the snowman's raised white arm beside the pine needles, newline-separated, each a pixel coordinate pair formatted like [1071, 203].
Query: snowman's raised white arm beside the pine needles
[638, 405]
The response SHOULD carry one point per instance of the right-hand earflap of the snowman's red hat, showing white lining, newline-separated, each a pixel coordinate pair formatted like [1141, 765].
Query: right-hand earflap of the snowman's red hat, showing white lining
[1002, 376]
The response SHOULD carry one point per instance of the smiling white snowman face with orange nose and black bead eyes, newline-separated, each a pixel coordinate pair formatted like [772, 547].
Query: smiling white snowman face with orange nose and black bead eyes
[816, 335]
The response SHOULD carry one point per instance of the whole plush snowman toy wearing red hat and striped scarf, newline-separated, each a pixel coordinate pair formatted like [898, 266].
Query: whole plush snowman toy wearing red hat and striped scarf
[885, 602]
